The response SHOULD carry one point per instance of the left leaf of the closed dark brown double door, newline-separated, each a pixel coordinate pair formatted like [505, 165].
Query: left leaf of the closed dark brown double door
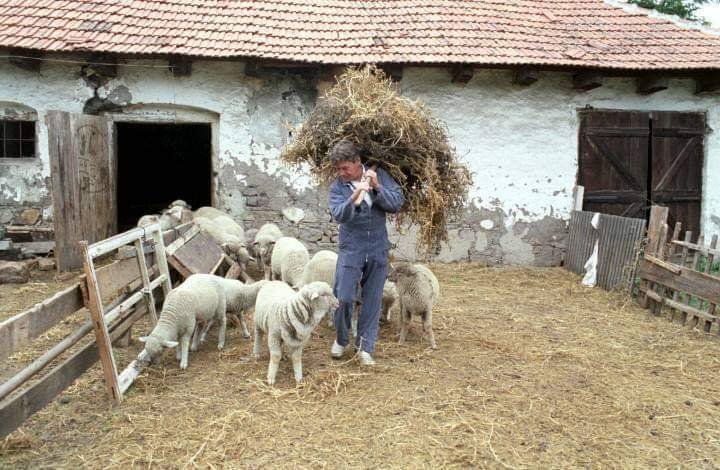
[614, 162]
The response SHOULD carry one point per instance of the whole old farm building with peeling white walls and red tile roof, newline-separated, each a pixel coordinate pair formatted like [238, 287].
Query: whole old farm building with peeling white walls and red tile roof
[195, 100]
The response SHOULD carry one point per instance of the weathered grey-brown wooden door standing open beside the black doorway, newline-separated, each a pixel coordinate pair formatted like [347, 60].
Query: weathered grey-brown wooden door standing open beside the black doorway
[83, 189]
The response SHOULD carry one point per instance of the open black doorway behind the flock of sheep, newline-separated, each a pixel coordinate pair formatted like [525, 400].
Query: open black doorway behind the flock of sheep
[159, 163]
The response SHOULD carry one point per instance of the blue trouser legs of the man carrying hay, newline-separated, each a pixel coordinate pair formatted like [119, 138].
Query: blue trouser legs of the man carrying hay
[371, 277]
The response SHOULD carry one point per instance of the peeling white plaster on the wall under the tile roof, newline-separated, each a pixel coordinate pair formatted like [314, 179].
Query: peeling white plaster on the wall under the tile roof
[521, 143]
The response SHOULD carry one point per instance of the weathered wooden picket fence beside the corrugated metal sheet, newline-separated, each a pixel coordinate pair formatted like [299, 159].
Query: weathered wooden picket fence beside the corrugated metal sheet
[679, 274]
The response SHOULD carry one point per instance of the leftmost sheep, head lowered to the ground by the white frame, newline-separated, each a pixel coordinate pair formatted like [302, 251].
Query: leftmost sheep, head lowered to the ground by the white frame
[200, 298]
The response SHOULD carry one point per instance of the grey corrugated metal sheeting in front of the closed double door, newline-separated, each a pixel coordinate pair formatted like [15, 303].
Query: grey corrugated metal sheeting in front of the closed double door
[618, 238]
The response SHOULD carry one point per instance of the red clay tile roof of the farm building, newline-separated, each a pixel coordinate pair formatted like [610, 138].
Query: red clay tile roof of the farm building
[581, 33]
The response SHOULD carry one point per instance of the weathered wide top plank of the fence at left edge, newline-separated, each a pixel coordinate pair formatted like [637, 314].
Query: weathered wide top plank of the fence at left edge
[21, 329]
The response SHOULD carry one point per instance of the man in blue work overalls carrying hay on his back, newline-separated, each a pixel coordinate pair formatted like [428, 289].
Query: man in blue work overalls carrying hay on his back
[359, 199]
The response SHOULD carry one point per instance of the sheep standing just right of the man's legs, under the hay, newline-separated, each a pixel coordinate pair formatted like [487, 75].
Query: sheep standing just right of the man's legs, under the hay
[418, 290]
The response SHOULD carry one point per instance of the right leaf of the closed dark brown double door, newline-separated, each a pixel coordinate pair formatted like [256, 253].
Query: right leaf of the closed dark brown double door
[676, 165]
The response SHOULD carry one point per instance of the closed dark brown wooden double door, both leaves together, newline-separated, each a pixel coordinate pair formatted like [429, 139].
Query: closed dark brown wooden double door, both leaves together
[630, 160]
